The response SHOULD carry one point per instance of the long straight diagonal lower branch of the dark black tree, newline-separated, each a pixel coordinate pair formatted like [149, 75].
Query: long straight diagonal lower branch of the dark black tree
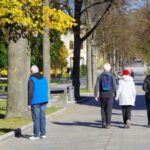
[95, 24]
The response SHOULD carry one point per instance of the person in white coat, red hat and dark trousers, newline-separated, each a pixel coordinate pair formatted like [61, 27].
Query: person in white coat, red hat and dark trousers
[126, 94]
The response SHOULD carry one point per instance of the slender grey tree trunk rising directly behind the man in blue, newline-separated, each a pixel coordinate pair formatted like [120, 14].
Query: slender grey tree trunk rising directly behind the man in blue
[46, 51]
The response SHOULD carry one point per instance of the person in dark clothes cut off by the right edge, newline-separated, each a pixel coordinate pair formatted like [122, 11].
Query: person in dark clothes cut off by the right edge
[146, 88]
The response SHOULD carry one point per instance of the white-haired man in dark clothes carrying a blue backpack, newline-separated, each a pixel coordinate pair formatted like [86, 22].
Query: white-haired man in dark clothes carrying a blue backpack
[105, 89]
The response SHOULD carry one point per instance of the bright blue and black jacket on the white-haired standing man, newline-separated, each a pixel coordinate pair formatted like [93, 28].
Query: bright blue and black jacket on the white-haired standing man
[37, 89]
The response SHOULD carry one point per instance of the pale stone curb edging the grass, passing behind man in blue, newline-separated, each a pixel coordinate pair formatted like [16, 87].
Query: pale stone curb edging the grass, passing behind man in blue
[18, 131]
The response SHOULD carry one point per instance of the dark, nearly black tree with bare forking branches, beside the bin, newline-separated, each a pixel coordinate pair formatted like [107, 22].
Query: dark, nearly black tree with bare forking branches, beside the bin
[78, 39]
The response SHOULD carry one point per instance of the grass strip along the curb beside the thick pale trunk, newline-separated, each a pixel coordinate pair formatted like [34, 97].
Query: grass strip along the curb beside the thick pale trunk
[10, 124]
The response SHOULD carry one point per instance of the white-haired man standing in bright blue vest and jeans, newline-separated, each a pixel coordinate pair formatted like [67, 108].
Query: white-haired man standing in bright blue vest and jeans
[37, 100]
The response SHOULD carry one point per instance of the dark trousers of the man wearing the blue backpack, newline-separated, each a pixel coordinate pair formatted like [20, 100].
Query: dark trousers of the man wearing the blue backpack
[106, 110]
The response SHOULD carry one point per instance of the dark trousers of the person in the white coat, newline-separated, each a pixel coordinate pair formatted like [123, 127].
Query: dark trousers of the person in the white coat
[126, 113]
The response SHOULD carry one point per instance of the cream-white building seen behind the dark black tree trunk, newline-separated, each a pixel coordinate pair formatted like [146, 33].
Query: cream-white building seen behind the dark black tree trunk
[68, 40]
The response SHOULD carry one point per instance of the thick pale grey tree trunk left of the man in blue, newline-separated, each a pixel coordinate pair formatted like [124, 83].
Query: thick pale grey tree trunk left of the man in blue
[18, 73]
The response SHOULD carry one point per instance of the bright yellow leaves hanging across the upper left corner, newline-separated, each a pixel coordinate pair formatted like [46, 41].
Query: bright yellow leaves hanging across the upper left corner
[33, 15]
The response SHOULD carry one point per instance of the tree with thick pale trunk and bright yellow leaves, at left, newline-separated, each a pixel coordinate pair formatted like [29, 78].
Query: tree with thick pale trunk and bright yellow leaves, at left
[19, 19]
